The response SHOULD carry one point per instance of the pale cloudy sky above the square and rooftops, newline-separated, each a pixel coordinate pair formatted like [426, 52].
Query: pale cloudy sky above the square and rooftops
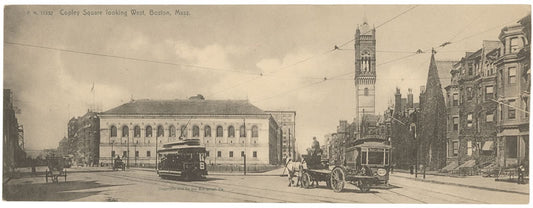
[232, 45]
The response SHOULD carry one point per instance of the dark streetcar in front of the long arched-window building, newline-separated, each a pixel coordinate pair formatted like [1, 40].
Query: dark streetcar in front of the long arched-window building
[183, 159]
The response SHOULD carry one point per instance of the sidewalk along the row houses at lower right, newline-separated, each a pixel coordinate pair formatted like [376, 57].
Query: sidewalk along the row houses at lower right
[479, 182]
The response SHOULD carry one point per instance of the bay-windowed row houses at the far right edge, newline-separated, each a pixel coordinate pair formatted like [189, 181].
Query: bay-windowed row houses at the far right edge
[487, 101]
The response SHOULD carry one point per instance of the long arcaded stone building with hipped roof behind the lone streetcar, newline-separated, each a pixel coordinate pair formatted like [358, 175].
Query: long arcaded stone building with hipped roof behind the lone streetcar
[229, 129]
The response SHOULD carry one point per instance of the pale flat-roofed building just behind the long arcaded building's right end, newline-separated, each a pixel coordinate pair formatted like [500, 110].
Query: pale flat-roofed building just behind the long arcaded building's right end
[287, 122]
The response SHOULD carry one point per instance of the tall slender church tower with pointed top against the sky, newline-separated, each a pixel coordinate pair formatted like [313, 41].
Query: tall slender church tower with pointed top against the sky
[365, 70]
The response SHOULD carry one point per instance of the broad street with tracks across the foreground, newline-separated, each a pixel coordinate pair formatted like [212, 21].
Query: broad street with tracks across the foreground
[144, 185]
